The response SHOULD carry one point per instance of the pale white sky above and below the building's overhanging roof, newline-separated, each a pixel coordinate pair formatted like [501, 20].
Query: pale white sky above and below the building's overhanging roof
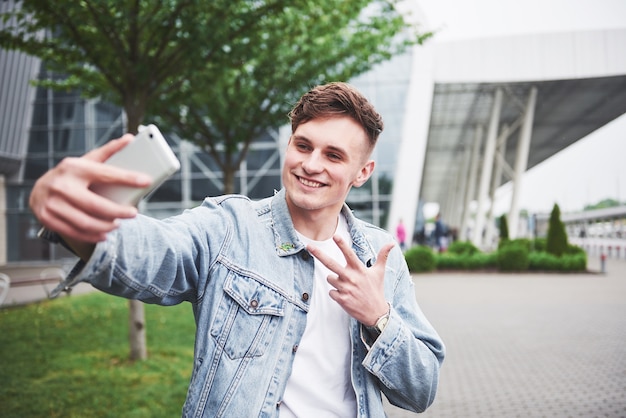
[596, 164]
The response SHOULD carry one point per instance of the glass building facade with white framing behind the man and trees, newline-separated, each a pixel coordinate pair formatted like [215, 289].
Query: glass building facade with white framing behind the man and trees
[65, 125]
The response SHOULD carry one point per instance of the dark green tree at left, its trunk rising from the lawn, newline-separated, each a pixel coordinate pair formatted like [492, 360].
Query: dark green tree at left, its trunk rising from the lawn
[130, 53]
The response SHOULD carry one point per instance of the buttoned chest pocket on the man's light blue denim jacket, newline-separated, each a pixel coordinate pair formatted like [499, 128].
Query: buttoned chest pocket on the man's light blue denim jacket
[247, 317]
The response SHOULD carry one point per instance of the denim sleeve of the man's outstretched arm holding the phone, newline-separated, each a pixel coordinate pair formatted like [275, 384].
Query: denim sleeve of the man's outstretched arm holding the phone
[162, 262]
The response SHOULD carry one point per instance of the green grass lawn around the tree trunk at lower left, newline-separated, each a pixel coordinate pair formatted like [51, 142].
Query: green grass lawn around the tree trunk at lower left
[69, 358]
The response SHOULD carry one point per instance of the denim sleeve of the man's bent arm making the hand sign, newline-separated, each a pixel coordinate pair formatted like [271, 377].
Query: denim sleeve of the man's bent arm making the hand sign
[407, 356]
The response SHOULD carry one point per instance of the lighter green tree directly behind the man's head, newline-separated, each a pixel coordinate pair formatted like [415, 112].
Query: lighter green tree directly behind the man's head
[225, 107]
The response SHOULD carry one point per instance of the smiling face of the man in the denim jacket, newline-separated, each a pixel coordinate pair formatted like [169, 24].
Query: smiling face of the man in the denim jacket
[324, 159]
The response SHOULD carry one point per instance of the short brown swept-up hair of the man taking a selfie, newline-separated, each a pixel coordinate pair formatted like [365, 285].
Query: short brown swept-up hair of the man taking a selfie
[337, 99]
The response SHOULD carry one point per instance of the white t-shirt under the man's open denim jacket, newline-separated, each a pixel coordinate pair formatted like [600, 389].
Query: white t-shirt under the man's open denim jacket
[320, 385]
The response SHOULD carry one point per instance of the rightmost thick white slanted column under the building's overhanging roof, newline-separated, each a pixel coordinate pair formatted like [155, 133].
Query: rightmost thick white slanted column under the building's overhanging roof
[521, 161]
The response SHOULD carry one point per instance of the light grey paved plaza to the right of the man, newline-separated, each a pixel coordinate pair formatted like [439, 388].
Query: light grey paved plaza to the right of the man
[526, 345]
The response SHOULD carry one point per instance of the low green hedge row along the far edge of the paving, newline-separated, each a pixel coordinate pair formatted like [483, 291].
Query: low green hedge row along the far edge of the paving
[511, 255]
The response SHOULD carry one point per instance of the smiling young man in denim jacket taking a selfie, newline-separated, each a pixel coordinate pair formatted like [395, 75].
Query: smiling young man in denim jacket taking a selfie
[302, 310]
